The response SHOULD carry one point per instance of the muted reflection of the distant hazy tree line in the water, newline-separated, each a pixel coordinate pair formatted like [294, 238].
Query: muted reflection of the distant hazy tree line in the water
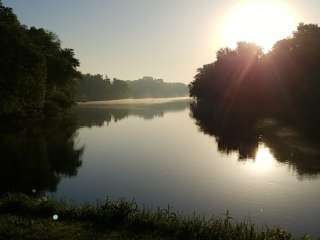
[89, 116]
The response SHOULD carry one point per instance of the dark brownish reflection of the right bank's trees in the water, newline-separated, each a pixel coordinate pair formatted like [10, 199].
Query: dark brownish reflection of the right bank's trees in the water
[242, 133]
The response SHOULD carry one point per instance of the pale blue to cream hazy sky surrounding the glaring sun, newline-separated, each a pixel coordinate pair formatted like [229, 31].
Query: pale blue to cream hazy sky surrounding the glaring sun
[128, 39]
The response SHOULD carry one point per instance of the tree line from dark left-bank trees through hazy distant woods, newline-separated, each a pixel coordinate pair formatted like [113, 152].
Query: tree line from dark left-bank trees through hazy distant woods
[39, 78]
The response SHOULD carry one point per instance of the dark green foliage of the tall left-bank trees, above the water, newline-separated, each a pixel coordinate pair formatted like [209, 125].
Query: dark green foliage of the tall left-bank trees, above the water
[36, 74]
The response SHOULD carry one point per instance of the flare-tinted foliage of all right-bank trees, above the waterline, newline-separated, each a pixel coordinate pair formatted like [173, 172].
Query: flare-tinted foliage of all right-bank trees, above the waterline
[284, 80]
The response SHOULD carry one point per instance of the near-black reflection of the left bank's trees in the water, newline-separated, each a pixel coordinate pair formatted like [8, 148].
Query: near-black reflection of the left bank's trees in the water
[34, 156]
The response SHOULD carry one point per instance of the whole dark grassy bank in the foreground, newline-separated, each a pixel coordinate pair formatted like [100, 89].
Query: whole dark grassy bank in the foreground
[23, 217]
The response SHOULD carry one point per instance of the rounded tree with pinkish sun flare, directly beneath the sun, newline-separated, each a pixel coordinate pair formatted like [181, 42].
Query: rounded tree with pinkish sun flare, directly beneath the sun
[228, 82]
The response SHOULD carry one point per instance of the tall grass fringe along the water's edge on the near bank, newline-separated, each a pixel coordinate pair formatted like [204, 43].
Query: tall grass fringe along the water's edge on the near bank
[126, 216]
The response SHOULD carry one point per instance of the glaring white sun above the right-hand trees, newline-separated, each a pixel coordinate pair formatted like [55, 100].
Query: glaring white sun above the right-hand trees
[260, 22]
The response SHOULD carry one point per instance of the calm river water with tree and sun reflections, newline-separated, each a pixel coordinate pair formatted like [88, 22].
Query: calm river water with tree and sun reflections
[166, 153]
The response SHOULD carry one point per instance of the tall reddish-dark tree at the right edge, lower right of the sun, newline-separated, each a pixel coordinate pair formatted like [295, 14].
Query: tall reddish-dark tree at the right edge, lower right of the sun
[296, 63]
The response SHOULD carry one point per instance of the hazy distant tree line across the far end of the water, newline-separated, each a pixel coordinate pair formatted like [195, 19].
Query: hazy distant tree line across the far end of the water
[97, 87]
